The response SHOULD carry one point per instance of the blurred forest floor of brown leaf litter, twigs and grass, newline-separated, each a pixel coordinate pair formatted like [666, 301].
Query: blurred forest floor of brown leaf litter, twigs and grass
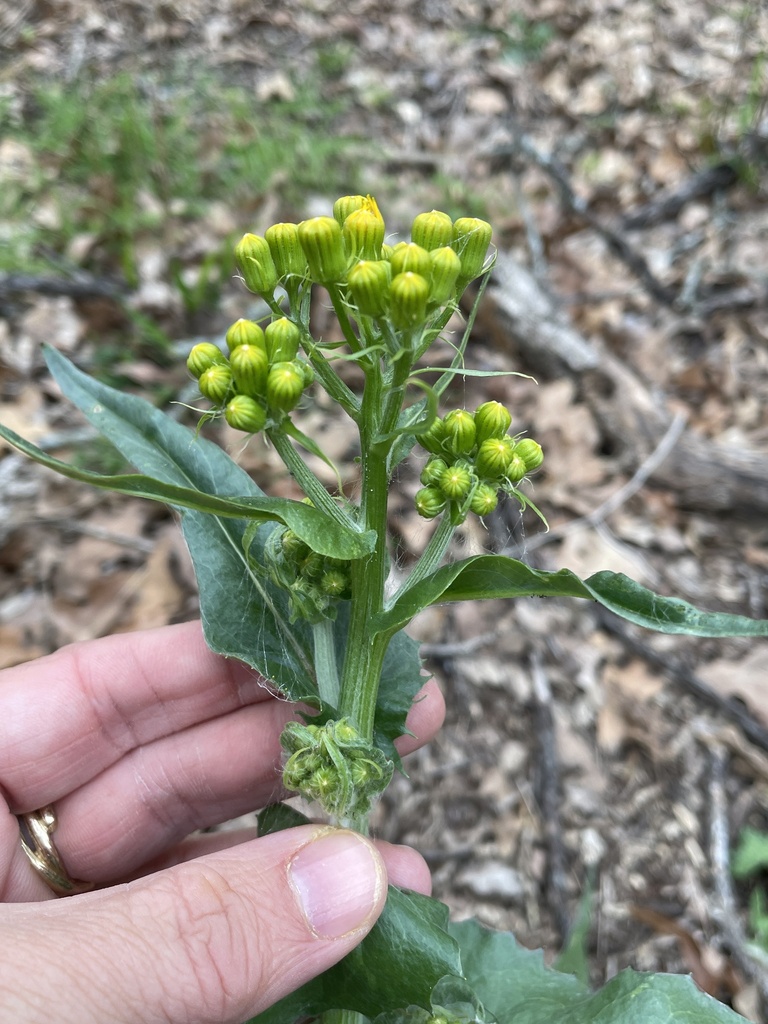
[620, 151]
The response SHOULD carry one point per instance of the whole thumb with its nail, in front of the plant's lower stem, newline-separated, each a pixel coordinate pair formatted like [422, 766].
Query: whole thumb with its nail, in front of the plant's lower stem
[215, 941]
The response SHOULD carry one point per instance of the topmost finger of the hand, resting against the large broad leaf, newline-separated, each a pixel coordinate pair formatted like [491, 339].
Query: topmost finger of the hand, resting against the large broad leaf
[67, 717]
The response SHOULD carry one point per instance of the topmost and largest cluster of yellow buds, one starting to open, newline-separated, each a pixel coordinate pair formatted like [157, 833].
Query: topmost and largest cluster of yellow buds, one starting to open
[407, 283]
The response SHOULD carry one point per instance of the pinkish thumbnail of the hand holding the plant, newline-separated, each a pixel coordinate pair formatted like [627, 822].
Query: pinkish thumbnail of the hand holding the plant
[338, 880]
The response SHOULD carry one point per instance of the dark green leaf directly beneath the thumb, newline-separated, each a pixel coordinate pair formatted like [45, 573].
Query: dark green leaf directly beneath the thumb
[398, 964]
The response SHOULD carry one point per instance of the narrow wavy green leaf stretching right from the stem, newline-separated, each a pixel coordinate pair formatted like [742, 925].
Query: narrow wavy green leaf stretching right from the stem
[486, 577]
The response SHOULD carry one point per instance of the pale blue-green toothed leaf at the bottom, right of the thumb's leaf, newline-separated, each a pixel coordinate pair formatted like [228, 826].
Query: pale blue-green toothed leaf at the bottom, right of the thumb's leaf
[515, 985]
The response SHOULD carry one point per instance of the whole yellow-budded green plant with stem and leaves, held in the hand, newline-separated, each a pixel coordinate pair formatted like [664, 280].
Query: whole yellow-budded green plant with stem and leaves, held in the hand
[302, 589]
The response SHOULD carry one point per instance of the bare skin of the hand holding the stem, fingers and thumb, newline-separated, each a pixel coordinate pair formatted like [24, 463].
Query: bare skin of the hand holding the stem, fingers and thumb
[140, 740]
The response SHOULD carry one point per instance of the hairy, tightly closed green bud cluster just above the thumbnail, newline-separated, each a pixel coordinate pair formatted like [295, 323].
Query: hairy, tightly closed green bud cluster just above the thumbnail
[334, 765]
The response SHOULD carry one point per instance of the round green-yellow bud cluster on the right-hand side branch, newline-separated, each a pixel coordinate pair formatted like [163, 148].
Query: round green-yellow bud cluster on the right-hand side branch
[473, 459]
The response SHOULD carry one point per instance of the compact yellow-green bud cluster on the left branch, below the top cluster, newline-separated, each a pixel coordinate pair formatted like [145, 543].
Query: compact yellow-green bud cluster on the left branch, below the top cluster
[262, 379]
